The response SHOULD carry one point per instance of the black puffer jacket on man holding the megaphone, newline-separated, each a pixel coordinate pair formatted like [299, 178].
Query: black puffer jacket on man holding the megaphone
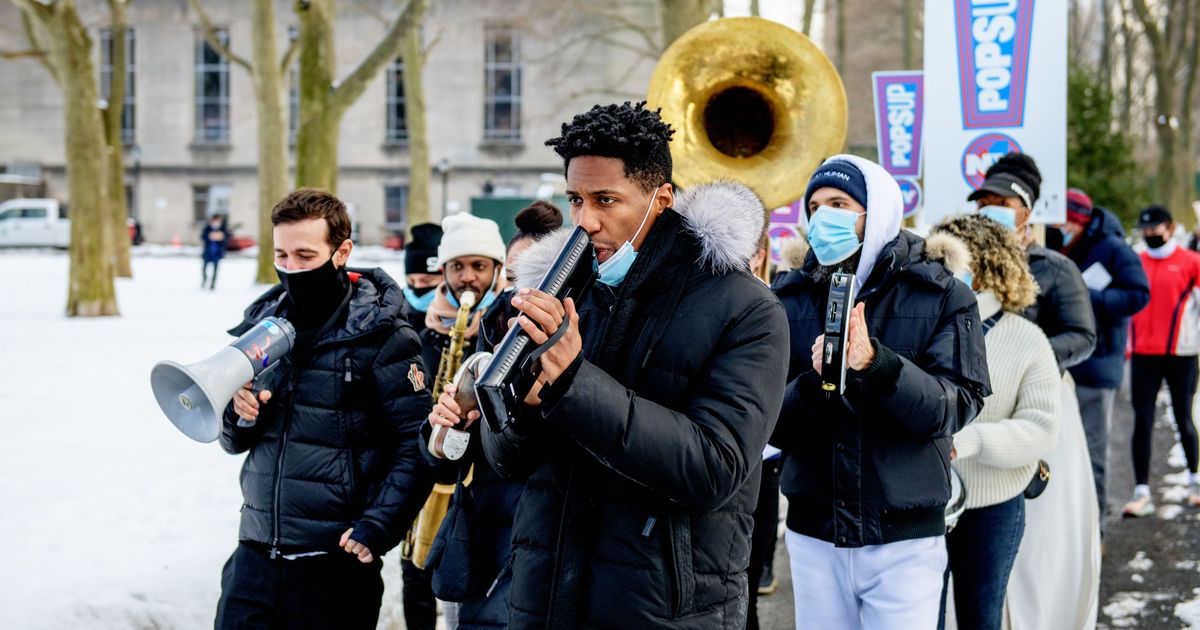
[337, 446]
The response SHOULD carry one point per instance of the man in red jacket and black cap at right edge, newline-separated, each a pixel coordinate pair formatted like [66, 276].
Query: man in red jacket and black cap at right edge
[1166, 339]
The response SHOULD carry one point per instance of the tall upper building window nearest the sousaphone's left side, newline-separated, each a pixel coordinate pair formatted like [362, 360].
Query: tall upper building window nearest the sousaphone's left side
[502, 83]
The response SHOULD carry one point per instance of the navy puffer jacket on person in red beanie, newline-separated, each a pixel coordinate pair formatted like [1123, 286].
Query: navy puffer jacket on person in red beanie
[1103, 244]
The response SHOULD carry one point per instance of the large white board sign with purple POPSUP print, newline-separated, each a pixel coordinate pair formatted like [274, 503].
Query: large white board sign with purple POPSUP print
[985, 62]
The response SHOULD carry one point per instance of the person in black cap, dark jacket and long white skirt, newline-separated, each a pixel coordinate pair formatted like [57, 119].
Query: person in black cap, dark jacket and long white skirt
[1055, 581]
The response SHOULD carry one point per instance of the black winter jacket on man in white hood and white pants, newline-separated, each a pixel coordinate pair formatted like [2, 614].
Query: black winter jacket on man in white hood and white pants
[873, 466]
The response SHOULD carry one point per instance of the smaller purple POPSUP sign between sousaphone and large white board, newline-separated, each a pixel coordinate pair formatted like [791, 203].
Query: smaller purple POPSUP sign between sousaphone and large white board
[899, 107]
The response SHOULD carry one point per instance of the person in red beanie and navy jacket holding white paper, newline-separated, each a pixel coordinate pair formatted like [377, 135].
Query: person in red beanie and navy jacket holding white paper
[1095, 241]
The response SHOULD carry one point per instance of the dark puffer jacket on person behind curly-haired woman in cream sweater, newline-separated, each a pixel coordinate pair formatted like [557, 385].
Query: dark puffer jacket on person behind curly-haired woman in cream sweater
[1064, 310]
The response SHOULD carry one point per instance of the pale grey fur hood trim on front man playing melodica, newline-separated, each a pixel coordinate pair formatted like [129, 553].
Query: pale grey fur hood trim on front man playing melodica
[725, 218]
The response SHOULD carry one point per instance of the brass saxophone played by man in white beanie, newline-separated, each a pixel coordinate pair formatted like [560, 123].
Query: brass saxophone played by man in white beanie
[421, 538]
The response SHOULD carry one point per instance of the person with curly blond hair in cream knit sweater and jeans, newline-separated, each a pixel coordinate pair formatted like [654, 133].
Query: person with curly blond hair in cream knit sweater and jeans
[998, 454]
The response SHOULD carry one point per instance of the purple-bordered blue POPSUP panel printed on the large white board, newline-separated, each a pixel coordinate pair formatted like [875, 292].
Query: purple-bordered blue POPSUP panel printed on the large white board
[994, 59]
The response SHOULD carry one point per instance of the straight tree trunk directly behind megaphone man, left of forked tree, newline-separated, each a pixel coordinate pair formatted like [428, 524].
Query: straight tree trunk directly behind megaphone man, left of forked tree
[273, 139]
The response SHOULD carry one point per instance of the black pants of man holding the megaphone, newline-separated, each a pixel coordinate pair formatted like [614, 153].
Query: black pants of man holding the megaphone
[320, 592]
